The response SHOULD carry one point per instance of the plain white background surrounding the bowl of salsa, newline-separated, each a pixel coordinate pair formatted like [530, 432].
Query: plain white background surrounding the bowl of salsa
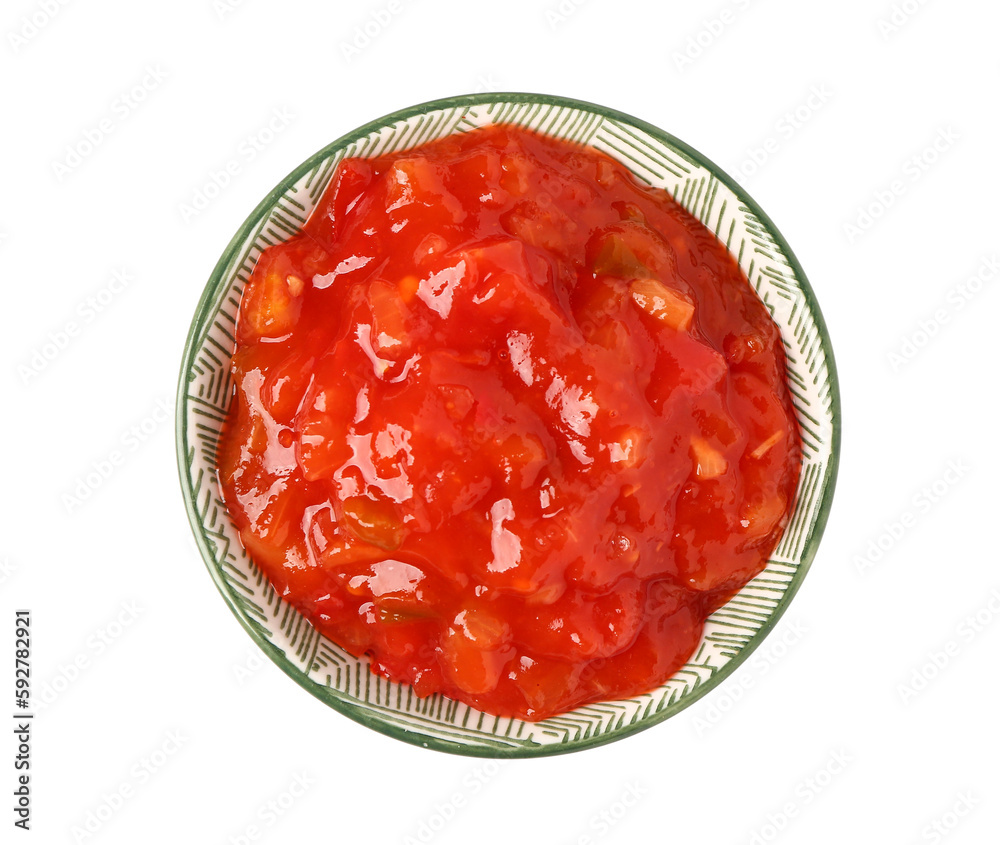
[869, 715]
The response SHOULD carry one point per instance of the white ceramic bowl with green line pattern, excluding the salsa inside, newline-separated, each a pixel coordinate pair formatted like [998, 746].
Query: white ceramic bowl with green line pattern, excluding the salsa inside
[345, 682]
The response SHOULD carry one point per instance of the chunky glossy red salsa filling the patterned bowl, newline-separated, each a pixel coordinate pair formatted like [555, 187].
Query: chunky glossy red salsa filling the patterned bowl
[507, 422]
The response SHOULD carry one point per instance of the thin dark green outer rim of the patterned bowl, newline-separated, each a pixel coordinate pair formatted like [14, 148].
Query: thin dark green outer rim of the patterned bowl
[219, 277]
